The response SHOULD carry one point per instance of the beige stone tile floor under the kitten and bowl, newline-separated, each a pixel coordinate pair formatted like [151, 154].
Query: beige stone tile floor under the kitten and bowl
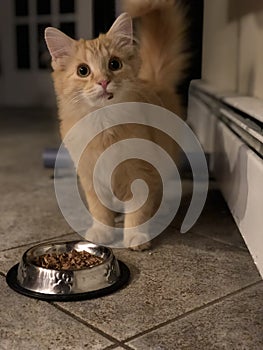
[200, 290]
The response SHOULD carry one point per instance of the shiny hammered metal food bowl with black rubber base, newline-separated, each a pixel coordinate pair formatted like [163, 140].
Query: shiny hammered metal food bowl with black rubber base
[67, 285]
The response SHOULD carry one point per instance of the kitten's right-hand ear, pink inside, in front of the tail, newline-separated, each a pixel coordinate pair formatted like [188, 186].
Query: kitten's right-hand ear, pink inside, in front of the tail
[121, 31]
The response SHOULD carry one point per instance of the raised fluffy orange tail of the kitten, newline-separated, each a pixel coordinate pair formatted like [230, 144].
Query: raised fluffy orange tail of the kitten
[163, 40]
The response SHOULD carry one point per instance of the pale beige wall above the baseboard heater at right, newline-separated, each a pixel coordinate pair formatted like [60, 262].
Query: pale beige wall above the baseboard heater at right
[233, 45]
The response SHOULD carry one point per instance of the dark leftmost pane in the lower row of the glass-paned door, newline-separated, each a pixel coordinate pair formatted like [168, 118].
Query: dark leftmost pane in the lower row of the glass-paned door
[22, 46]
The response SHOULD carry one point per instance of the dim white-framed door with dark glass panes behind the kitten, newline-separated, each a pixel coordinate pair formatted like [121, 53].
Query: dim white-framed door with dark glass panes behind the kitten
[25, 62]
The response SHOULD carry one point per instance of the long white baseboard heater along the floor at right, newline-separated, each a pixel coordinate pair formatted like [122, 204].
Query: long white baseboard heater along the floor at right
[236, 161]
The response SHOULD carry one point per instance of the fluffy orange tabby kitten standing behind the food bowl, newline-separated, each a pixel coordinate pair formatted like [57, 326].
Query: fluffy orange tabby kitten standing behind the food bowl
[90, 74]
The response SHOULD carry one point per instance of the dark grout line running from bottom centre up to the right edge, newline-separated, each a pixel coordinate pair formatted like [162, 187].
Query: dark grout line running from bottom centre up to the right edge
[190, 312]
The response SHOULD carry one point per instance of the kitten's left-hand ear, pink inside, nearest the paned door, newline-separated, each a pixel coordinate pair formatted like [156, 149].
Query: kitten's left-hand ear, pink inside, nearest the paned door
[59, 45]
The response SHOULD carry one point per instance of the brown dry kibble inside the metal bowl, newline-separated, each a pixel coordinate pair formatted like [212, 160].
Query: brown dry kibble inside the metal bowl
[72, 260]
